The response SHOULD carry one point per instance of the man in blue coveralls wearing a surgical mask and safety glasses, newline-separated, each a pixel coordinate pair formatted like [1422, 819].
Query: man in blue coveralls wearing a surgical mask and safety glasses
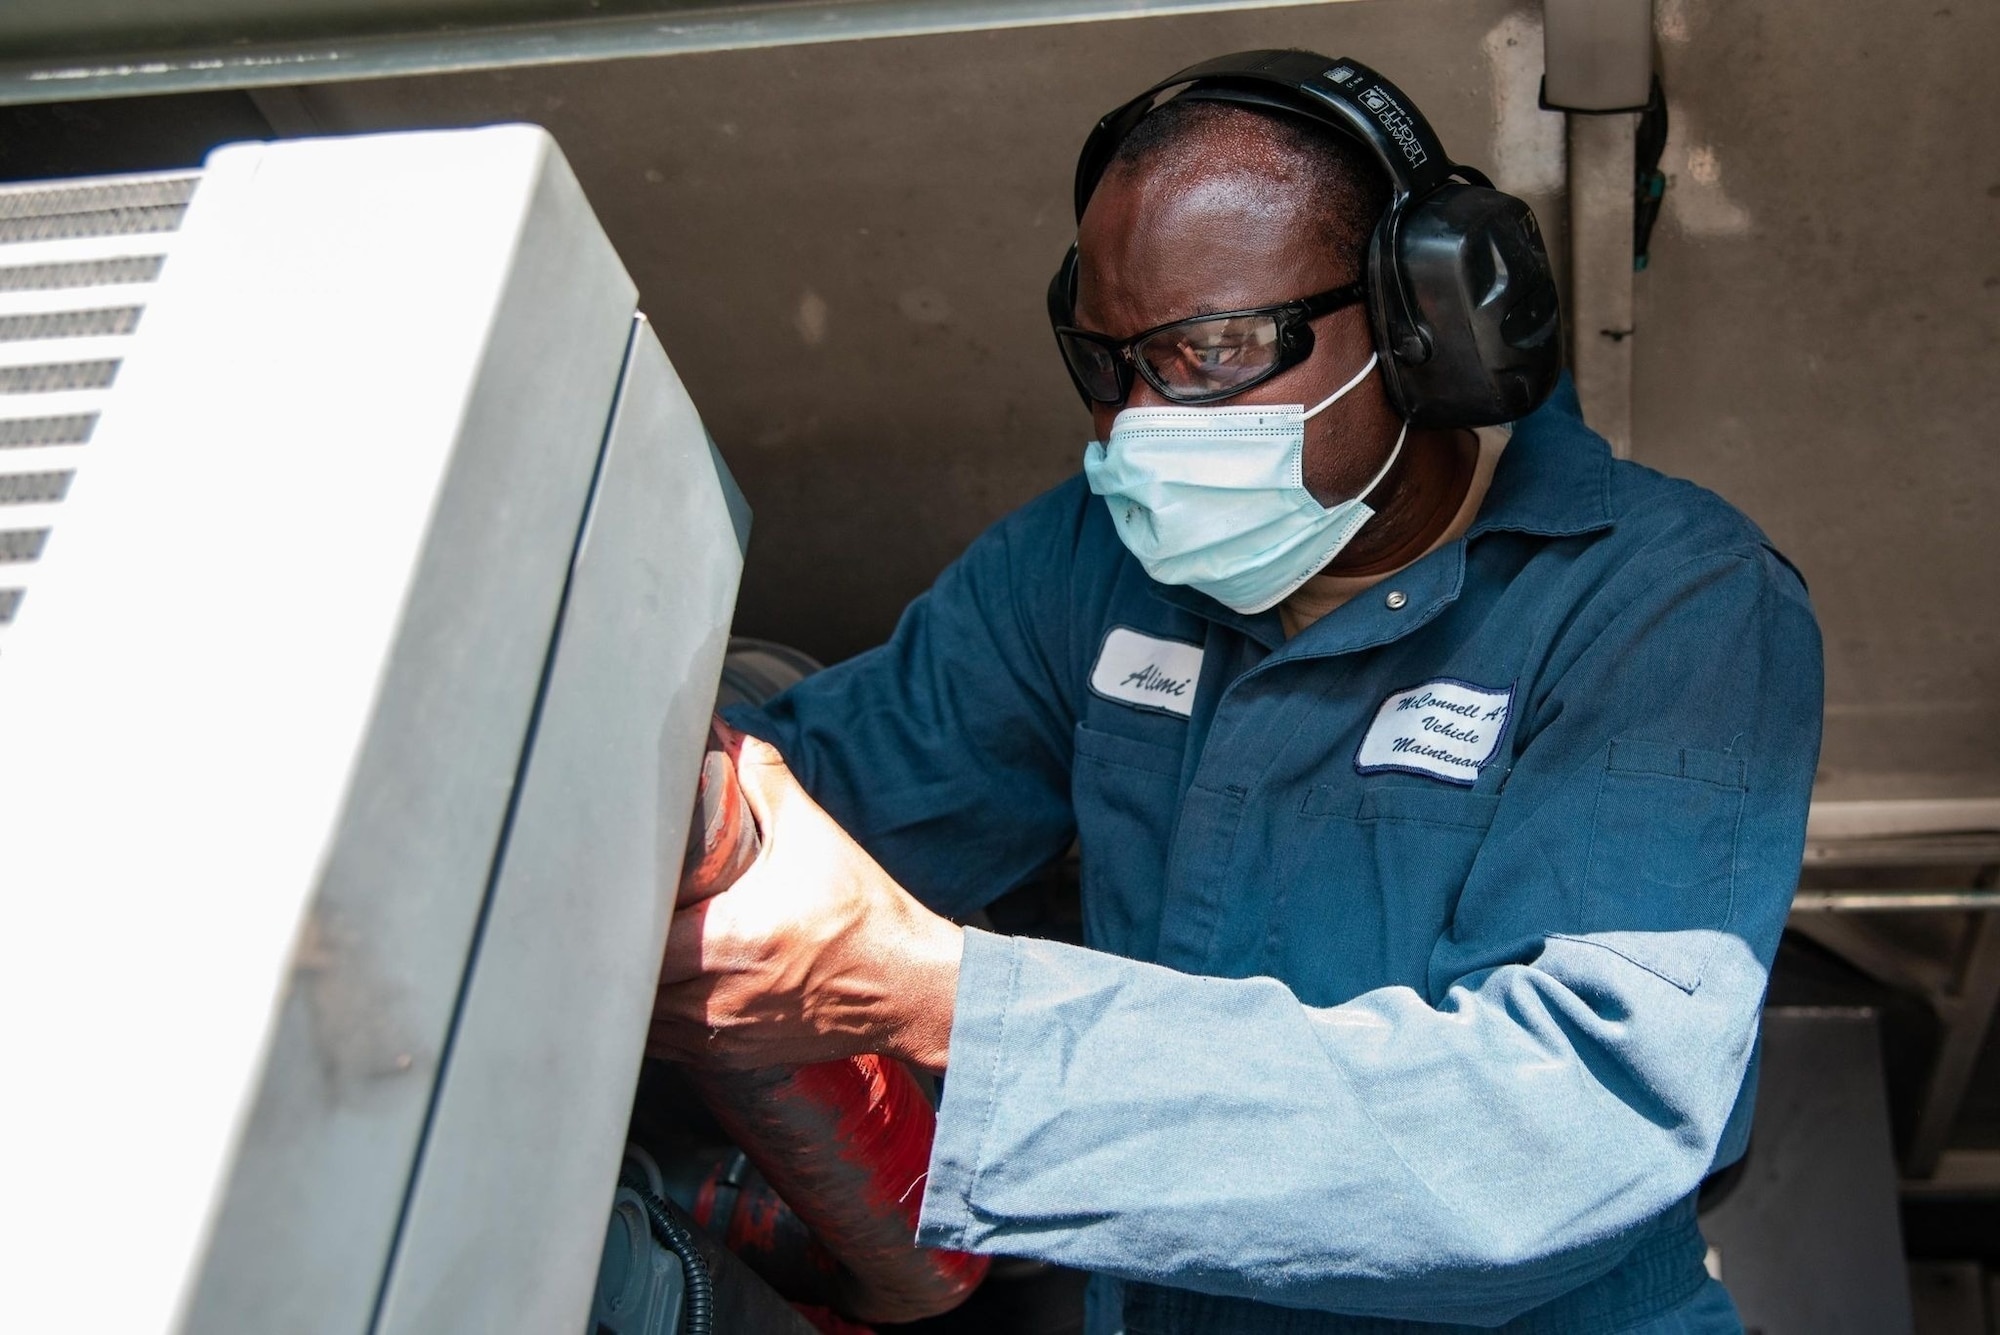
[1439, 790]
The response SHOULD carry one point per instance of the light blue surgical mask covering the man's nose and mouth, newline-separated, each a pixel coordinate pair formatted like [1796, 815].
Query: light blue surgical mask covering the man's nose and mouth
[1217, 499]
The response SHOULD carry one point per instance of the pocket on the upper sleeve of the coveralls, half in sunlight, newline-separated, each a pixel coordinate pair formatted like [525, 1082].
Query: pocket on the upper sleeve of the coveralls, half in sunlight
[1661, 876]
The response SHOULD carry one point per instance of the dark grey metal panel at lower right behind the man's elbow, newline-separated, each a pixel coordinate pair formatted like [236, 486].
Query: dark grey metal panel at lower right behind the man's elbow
[1811, 1242]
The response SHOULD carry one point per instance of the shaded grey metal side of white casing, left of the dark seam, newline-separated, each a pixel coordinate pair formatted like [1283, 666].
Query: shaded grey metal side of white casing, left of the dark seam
[325, 1166]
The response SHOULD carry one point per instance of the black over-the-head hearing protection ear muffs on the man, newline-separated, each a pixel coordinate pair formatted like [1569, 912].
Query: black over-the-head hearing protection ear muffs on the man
[1459, 281]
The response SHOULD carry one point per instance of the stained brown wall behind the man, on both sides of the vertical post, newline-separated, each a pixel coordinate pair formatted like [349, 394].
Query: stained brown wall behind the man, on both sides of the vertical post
[845, 249]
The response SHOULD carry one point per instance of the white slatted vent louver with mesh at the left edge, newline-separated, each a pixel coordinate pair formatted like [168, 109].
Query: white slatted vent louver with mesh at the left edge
[75, 271]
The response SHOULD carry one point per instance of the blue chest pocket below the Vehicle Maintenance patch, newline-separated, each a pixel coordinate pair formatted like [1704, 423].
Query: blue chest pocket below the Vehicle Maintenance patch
[1369, 886]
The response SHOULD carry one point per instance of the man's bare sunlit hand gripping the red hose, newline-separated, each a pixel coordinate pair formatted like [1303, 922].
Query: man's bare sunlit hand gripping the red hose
[815, 954]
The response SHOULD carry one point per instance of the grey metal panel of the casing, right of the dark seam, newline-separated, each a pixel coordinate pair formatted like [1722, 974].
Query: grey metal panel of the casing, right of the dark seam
[517, 1178]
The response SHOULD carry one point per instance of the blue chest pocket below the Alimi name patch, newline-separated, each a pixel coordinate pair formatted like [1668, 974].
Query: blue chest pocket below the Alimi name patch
[1125, 792]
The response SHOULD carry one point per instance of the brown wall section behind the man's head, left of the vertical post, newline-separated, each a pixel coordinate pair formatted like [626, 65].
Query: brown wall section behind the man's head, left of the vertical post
[845, 249]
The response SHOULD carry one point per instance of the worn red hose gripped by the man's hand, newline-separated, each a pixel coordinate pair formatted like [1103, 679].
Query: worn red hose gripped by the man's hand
[845, 1144]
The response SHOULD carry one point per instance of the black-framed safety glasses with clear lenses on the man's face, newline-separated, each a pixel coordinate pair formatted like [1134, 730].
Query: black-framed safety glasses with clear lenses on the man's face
[1201, 359]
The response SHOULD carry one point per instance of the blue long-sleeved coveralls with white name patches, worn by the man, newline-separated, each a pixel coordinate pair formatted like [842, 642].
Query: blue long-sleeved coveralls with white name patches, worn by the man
[1355, 1048]
